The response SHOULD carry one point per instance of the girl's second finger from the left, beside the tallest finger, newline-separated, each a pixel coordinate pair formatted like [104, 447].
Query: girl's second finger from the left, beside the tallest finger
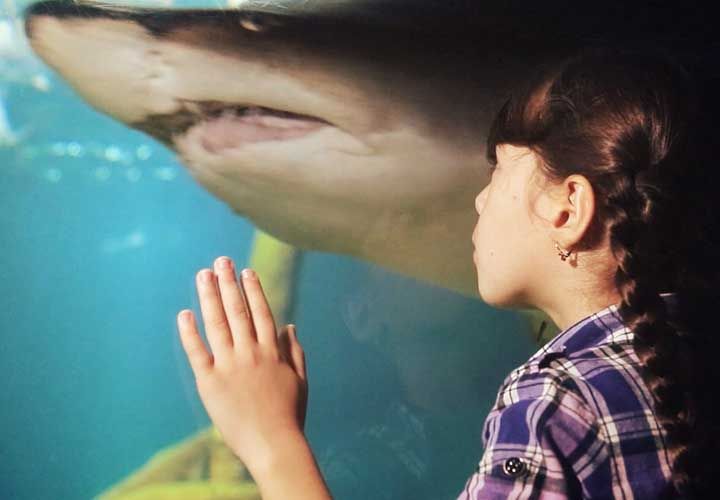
[217, 328]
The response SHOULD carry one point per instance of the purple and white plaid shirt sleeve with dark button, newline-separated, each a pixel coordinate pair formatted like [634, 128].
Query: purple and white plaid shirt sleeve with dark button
[537, 447]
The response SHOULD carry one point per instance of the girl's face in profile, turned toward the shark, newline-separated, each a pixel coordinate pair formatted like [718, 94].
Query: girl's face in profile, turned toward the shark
[506, 241]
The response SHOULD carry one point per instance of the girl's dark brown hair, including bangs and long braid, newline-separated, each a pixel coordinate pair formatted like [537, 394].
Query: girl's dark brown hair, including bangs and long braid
[633, 123]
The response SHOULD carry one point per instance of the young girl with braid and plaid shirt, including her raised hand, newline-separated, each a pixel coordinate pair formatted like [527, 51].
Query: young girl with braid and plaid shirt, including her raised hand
[595, 214]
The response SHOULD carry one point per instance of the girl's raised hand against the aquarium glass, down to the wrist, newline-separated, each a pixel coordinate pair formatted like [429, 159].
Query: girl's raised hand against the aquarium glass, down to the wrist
[254, 384]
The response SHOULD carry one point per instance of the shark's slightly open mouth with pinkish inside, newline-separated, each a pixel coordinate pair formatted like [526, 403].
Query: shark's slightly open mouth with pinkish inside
[224, 126]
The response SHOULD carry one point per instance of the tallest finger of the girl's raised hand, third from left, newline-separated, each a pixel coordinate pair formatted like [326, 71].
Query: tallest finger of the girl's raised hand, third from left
[236, 308]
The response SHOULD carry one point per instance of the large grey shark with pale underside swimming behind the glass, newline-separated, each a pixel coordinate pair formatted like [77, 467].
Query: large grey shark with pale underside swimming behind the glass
[355, 128]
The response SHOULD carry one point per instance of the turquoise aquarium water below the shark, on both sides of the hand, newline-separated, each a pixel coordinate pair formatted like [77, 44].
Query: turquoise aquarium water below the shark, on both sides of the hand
[102, 234]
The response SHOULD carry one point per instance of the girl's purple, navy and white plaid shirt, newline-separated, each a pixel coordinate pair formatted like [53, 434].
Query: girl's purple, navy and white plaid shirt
[575, 421]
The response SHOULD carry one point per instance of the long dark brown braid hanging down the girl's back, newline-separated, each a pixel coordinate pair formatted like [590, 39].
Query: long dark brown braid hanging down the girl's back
[658, 343]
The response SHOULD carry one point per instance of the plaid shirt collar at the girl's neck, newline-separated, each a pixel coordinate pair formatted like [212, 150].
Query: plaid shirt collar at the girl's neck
[602, 327]
